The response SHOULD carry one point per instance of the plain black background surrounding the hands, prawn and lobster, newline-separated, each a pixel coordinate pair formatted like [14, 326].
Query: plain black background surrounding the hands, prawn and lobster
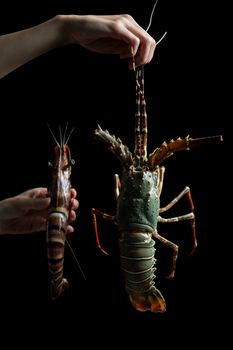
[184, 86]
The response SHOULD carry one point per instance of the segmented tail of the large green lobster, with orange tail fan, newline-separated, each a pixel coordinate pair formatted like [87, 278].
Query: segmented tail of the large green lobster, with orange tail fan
[137, 263]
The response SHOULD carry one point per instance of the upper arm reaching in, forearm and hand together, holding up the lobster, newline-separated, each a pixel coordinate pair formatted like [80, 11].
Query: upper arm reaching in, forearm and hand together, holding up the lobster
[107, 34]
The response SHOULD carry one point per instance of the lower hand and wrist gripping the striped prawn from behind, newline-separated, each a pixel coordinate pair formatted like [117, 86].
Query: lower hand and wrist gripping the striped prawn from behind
[28, 211]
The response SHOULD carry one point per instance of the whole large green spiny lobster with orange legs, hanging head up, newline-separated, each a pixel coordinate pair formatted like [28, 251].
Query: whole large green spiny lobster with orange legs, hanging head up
[138, 205]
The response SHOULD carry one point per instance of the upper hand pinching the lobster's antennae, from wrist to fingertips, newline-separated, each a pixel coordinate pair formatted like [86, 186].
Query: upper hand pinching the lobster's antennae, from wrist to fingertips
[110, 34]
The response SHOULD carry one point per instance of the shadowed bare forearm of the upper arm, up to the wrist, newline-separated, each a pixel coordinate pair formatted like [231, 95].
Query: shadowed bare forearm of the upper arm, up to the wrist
[20, 47]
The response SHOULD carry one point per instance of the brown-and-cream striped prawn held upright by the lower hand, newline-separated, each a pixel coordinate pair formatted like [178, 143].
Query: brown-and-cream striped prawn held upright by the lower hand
[58, 218]
